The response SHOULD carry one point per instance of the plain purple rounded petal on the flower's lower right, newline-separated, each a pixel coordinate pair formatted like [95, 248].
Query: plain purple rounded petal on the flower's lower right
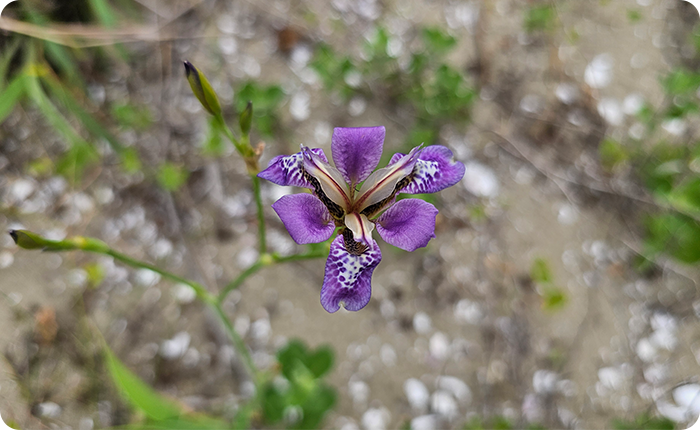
[409, 224]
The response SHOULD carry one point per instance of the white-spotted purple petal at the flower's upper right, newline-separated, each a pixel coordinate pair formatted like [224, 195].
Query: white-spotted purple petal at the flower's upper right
[434, 171]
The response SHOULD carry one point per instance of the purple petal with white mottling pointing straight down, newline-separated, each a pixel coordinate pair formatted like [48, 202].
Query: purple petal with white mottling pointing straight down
[348, 278]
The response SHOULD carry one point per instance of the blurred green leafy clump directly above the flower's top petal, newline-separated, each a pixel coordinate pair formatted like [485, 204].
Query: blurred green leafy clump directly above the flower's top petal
[435, 92]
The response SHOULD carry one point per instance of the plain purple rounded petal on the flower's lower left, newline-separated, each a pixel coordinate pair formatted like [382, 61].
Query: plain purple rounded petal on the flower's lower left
[306, 218]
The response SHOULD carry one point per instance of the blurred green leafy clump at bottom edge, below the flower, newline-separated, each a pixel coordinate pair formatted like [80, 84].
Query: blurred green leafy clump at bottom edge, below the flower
[301, 397]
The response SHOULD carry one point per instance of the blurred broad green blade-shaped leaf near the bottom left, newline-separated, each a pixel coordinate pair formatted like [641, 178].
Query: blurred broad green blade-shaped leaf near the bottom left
[138, 393]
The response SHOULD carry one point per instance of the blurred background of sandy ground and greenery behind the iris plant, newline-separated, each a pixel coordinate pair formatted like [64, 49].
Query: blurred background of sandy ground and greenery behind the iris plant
[560, 291]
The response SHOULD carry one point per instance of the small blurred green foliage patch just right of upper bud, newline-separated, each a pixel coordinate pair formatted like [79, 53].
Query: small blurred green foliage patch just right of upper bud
[265, 99]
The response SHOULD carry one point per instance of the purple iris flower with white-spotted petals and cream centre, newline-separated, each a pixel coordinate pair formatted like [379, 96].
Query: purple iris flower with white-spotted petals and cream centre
[356, 198]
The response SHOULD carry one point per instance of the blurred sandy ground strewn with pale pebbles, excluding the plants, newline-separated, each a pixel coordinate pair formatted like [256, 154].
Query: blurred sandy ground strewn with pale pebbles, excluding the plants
[453, 332]
